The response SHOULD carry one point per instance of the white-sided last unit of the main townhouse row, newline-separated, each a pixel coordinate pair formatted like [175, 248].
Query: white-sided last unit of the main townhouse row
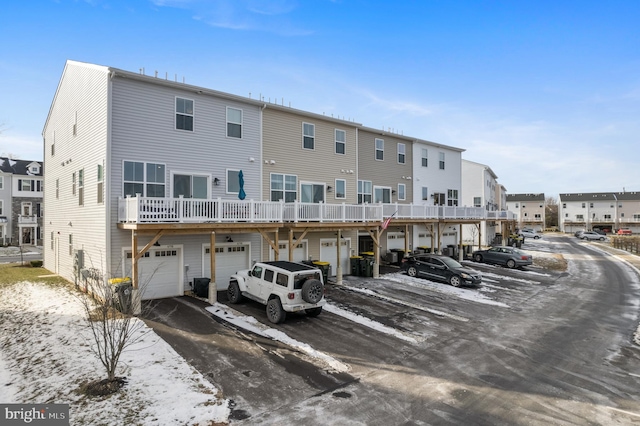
[437, 181]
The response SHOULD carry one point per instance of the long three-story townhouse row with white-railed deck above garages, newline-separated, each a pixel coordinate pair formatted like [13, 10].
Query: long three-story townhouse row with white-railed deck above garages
[170, 183]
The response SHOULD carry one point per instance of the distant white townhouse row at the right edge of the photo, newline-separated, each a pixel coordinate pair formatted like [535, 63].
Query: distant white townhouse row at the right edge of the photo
[604, 211]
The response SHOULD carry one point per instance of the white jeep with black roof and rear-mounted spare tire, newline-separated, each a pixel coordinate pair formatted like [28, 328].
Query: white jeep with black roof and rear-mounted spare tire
[281, 285]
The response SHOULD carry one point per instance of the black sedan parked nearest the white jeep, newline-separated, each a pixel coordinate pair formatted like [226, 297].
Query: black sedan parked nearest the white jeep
[440, 268]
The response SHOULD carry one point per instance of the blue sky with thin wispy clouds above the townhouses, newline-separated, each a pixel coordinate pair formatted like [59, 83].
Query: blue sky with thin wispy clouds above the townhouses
[546, 93]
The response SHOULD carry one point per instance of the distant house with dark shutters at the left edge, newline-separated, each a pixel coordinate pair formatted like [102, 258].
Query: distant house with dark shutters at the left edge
[21, 201]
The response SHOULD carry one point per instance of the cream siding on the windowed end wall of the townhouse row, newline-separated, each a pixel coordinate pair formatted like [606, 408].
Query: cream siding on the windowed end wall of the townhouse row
[82, 93]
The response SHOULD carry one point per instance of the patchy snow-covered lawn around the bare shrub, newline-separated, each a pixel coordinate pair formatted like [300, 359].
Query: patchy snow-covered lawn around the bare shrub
[45, 356]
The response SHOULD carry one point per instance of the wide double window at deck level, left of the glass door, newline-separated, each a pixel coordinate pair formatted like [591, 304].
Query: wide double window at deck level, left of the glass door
[146, 179]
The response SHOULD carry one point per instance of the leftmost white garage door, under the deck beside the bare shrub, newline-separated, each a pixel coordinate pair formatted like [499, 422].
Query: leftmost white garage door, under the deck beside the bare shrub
[159, 273]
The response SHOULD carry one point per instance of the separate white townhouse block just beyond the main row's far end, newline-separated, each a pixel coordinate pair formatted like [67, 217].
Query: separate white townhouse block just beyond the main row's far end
[480, 188]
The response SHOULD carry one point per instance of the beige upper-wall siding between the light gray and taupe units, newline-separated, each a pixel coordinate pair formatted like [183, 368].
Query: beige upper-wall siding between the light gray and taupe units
[282, 143]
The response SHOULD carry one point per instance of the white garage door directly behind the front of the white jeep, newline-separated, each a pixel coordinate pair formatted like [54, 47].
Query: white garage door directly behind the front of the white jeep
[229, 260]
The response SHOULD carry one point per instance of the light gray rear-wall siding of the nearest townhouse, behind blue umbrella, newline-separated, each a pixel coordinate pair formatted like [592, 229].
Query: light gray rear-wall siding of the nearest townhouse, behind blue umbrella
[143, 130]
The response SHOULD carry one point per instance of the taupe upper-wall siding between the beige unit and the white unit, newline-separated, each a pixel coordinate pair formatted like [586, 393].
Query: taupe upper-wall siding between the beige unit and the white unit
[386, 173]
